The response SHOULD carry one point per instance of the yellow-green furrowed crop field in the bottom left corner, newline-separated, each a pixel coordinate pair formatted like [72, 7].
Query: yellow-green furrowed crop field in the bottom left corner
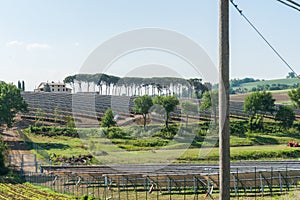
[26, 191]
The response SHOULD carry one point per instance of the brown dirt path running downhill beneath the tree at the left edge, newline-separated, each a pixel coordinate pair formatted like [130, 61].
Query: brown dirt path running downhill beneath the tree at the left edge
[17, 150]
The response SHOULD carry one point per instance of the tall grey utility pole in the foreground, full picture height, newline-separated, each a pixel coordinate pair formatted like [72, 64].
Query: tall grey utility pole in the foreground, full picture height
[224, 139]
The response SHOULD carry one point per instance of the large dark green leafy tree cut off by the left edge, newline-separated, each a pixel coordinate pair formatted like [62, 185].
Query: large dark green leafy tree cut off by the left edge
[11, 102]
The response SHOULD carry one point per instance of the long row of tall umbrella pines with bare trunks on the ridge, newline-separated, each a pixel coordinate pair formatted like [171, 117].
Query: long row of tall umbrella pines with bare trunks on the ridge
[135, 86]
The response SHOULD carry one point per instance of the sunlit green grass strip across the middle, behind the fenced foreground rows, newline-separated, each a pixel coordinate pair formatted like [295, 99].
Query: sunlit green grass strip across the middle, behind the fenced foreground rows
[251, 146]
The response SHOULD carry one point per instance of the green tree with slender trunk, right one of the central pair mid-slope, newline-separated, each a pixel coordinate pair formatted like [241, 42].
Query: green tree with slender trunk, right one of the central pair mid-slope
[169, 103]
